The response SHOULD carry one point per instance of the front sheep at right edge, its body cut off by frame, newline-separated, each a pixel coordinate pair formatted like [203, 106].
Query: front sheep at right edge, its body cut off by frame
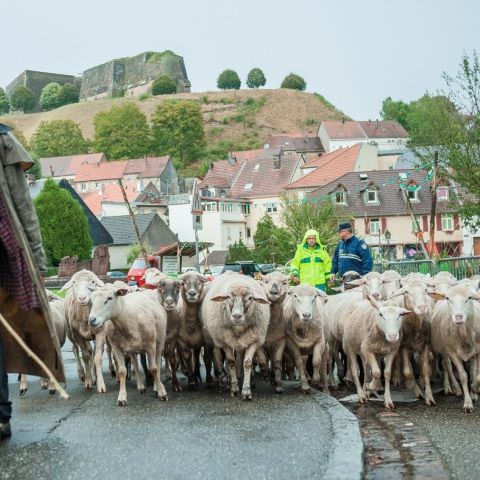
[454, 333]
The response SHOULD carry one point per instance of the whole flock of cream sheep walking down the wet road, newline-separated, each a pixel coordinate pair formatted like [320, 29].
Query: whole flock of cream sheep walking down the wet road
[403, 330]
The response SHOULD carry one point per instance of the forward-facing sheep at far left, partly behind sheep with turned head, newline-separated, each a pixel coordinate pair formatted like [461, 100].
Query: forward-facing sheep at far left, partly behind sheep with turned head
[77, 308]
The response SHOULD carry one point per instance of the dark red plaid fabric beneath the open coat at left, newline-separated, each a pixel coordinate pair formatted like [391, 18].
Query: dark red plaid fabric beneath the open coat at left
[14, 275]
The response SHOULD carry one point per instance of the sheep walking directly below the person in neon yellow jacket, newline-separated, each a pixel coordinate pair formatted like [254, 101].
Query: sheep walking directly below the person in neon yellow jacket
[305, 319]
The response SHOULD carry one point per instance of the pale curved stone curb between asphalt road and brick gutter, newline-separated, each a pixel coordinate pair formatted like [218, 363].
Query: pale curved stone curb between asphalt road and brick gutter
[346, 458]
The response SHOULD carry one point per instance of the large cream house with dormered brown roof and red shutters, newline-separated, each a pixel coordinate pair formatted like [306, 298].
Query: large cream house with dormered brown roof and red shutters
[377, 201]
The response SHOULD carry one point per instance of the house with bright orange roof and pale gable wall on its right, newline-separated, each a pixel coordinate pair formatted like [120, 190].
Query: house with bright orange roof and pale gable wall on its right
[318, 172]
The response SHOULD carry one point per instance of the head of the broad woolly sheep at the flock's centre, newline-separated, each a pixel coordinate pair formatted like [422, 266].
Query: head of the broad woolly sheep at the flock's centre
[240, 301]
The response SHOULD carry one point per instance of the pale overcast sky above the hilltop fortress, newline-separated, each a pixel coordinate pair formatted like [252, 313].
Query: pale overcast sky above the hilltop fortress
[355, 53]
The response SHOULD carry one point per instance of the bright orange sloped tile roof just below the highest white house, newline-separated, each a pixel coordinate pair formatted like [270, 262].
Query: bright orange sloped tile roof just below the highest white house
[329, 167]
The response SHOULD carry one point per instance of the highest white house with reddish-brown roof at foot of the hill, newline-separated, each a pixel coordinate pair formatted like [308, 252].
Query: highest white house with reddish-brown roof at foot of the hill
[386, 134]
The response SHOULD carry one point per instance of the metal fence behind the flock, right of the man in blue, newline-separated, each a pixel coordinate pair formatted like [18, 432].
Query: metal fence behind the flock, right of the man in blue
[461, 267]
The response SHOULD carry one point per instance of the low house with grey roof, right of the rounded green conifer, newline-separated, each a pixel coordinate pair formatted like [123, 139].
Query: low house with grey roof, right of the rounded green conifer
[153, 232]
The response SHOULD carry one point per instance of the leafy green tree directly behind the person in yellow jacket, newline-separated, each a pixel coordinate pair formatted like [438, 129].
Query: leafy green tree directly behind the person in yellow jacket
[316, 213]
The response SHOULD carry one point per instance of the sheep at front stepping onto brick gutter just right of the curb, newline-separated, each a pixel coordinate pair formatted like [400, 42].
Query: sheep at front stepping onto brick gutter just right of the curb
[372, 328]
